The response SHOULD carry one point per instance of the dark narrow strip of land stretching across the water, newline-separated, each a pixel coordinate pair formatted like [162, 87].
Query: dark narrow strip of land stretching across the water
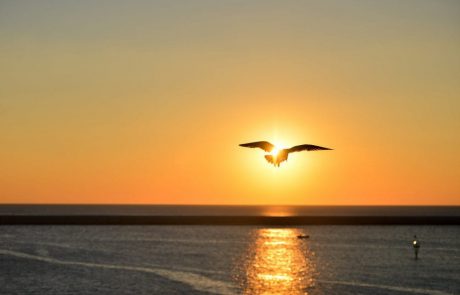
[225, 220]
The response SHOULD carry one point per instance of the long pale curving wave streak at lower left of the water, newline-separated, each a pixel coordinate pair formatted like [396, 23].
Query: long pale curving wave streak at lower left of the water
[197, 282]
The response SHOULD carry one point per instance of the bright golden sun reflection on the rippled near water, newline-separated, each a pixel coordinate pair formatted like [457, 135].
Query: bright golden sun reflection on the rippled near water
[278, 263]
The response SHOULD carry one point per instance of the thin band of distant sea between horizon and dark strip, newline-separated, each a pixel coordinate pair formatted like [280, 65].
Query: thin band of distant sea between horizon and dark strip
[218, 210]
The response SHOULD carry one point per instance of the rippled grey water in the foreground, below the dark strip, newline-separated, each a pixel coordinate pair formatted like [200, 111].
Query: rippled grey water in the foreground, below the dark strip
[228, 260]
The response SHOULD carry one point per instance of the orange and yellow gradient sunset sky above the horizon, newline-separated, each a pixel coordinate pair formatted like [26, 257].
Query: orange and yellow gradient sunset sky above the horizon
[147, 101]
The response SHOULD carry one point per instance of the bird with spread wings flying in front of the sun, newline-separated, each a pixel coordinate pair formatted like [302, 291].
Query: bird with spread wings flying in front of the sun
[278, 156]
